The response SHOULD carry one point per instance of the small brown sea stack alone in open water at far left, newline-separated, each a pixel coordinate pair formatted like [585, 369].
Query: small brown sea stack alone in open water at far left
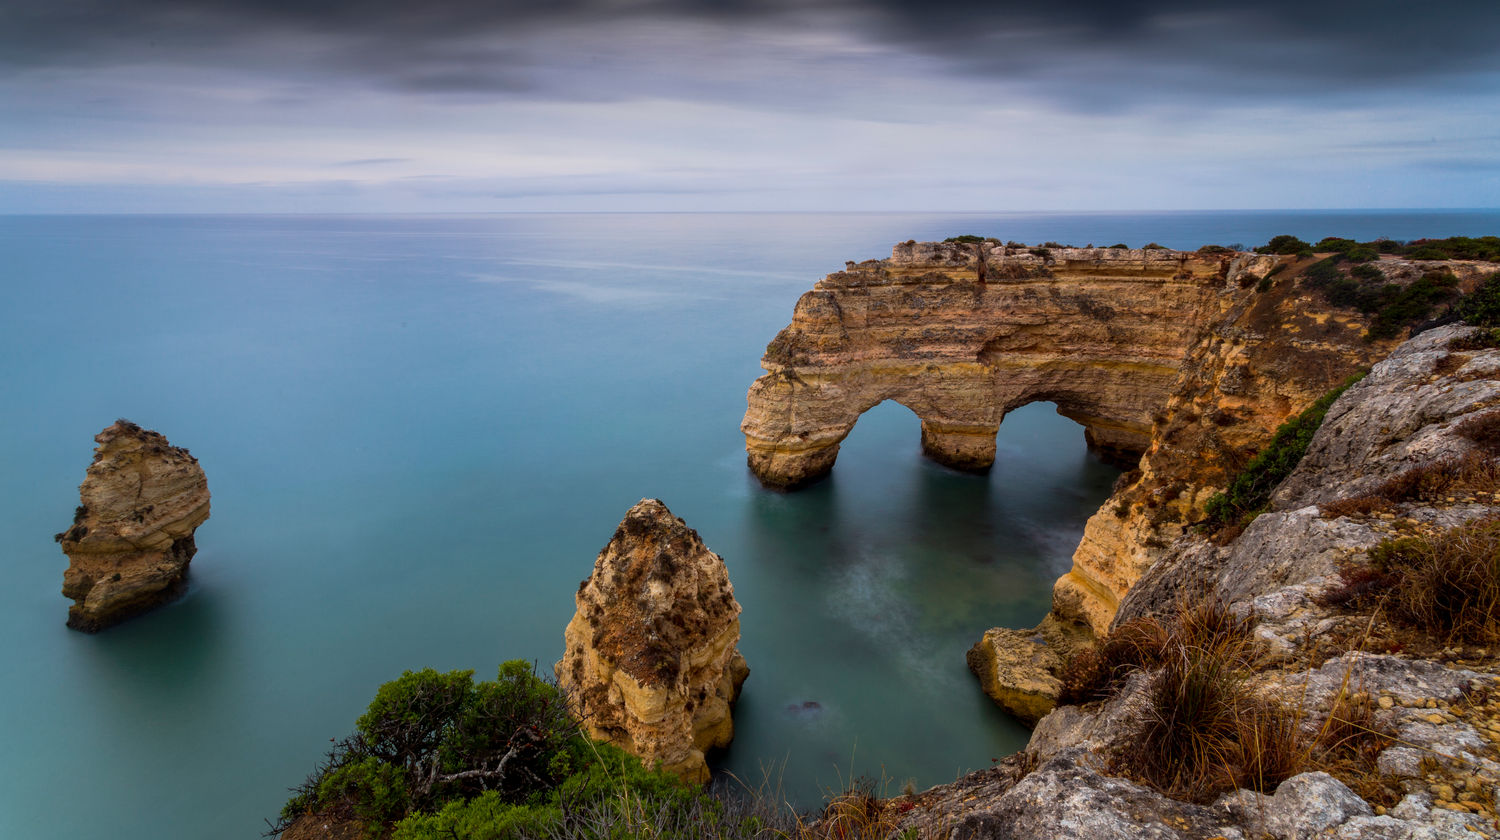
[133, 535]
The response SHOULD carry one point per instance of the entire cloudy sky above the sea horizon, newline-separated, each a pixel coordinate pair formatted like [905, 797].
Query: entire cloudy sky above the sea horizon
[904, 106]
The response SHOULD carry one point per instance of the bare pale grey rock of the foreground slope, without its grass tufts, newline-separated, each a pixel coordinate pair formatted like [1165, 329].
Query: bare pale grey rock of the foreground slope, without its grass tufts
[1441, 755]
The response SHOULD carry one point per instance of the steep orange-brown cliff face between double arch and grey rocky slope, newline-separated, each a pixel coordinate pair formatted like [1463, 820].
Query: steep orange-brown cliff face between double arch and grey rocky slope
[1261, 362]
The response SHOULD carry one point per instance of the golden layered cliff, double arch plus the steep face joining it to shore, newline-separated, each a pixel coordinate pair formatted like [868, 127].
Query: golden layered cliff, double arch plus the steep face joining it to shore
[1180, 365]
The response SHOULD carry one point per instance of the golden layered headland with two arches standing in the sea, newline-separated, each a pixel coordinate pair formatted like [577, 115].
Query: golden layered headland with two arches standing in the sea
[962, 335]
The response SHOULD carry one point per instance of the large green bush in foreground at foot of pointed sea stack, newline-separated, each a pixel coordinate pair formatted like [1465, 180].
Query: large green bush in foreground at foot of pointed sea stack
[440, 757]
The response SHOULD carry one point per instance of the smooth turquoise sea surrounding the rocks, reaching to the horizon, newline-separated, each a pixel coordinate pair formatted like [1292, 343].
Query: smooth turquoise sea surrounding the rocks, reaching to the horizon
[421, 431]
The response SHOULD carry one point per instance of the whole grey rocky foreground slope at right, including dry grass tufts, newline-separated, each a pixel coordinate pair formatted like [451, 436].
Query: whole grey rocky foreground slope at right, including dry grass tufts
[1391, 727]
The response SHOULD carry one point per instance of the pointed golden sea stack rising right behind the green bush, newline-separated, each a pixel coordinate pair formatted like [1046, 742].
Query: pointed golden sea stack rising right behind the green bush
[652, 659]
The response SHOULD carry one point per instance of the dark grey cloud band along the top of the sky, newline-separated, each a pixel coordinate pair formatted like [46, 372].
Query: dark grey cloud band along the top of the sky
[1283, 47]
